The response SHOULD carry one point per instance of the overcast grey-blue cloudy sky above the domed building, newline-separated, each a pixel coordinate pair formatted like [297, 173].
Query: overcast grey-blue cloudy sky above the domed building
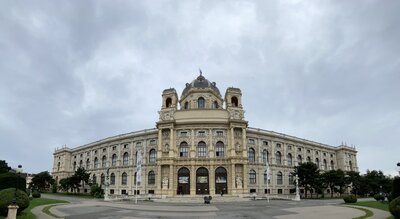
[73, 72]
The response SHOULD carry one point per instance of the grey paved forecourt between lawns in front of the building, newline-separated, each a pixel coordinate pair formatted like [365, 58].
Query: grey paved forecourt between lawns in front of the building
[79, 208]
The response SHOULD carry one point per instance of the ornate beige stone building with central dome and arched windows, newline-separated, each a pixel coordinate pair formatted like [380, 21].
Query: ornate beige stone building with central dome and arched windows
[201, 145]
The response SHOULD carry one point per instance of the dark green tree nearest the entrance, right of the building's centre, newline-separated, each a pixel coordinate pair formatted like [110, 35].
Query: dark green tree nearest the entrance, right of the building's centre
[308, 174]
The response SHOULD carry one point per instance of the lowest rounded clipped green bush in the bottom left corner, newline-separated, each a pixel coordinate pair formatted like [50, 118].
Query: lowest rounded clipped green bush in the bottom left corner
[6, 197]
